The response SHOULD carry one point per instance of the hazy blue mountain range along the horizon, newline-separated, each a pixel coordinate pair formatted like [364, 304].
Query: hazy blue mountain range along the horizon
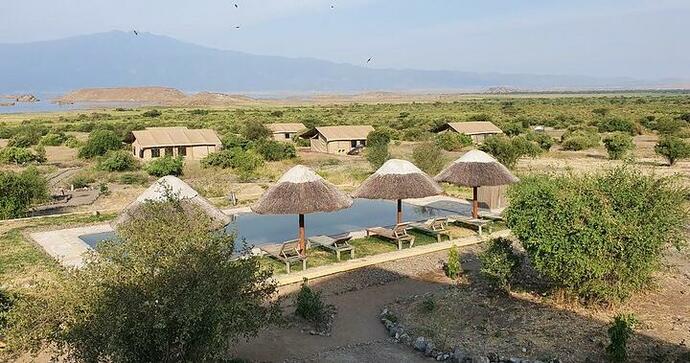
[119, 59]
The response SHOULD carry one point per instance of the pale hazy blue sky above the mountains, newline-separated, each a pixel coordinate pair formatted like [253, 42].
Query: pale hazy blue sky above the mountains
[636, 38]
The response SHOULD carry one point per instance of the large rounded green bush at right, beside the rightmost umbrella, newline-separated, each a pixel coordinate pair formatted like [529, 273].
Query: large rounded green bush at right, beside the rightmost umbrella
[601, 236]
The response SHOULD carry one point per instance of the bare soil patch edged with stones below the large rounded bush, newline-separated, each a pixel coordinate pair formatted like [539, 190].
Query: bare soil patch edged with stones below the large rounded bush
[528, 325]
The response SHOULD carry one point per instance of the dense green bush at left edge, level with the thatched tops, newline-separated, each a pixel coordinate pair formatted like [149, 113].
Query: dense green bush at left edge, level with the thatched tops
[19, 190]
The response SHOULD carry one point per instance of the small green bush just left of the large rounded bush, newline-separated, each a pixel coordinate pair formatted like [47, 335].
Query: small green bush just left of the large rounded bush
[499, 262]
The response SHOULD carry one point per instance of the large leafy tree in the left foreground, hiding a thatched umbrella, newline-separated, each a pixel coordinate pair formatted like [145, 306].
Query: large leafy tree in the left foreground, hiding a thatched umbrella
[170, 289]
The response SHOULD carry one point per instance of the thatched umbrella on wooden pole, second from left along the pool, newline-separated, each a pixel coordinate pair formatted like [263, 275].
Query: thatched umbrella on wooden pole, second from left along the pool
[300, 191]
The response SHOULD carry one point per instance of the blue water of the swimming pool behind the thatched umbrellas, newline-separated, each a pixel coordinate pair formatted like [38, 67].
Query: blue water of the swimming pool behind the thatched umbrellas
[262, 229]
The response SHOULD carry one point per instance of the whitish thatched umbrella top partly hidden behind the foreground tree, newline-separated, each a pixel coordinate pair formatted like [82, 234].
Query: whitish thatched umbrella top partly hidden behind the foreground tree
[167, 187]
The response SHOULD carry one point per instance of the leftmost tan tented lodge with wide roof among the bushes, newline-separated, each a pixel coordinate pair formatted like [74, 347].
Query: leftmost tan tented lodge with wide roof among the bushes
[156, 142]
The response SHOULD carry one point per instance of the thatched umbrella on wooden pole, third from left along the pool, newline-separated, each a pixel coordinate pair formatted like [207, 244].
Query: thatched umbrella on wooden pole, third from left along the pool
[397, 180]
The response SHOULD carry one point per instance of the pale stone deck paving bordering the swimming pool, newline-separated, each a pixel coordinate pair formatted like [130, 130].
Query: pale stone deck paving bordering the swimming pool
[65, 245]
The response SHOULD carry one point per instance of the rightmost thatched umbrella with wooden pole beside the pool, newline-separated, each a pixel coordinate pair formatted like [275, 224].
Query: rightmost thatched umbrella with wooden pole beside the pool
[474, 169]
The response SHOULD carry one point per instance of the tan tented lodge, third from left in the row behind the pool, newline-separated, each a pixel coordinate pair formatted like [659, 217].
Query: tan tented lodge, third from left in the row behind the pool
[337, 139]
